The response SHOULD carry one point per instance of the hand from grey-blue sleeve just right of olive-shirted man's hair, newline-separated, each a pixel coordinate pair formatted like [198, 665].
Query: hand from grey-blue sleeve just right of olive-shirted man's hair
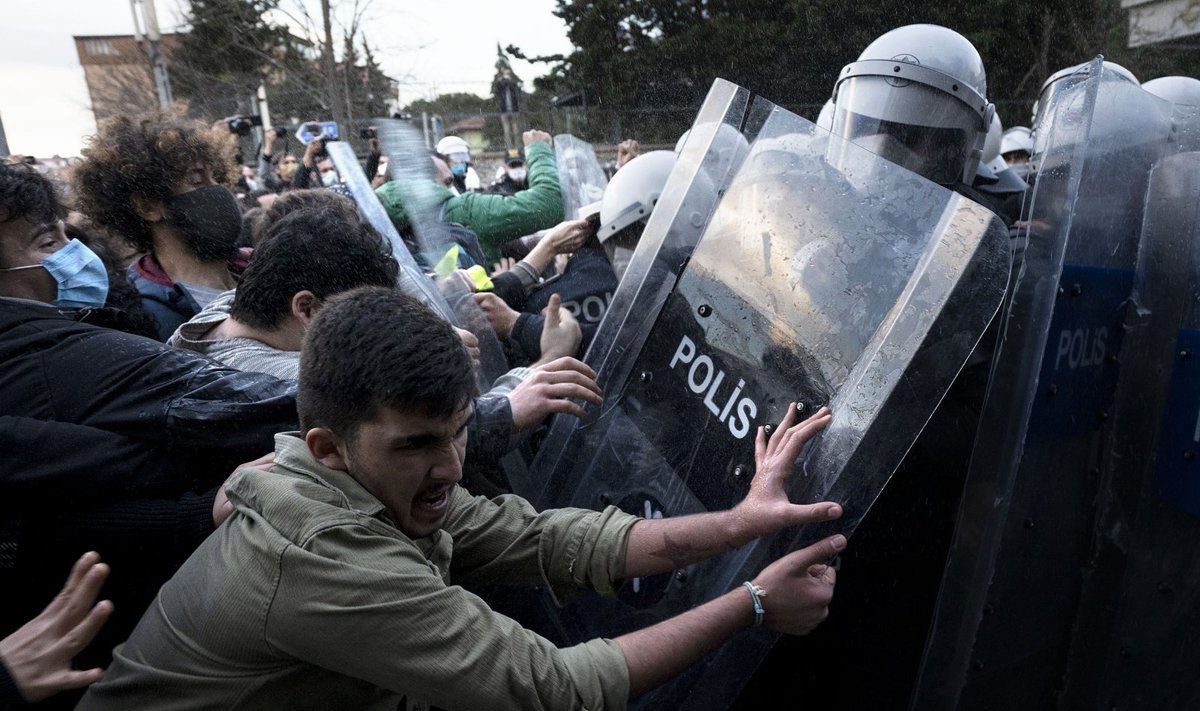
[553, 389]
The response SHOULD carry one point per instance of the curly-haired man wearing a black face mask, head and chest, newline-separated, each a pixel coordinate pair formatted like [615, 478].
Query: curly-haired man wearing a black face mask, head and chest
[154, 181]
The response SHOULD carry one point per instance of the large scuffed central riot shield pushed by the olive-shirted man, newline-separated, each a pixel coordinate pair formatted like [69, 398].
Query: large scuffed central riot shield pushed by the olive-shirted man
[824, 276]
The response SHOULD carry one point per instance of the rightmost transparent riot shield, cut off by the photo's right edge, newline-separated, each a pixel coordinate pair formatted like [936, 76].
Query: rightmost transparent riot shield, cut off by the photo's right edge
[1135, 646]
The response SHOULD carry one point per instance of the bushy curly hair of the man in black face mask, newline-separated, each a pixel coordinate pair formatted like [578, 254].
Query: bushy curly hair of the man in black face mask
[145, 156]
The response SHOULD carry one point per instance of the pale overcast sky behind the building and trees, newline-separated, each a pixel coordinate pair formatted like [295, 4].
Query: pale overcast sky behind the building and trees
[437, 47]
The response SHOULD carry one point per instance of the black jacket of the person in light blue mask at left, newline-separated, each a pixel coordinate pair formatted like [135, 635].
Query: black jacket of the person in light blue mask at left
[116, 444]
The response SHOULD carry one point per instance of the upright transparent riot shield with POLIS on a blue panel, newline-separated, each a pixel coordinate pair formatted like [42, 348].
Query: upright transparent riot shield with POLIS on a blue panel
[1012, 582]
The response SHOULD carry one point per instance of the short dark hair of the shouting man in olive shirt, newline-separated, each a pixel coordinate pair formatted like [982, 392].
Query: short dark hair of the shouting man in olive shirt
[375, 348]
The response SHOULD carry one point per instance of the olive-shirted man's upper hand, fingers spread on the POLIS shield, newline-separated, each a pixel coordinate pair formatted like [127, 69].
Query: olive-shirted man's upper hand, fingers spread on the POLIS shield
[766, 507]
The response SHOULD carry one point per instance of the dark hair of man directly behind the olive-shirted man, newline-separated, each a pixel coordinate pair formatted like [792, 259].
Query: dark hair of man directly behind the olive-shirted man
[314, 250]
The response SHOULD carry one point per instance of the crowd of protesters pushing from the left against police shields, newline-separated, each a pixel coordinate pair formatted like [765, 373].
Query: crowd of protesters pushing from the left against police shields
[213, 380]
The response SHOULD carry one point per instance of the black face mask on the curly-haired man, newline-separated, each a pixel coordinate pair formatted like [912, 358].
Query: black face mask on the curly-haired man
[209, 219]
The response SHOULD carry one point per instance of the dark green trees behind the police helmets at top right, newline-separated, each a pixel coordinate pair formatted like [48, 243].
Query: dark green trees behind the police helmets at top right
[635, 56]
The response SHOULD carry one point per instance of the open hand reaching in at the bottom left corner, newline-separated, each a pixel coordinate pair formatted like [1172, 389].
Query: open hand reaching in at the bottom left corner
[39, 654]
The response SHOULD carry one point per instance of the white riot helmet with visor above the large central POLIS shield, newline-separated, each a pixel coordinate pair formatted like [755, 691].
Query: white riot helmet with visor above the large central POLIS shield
[917, 97]
